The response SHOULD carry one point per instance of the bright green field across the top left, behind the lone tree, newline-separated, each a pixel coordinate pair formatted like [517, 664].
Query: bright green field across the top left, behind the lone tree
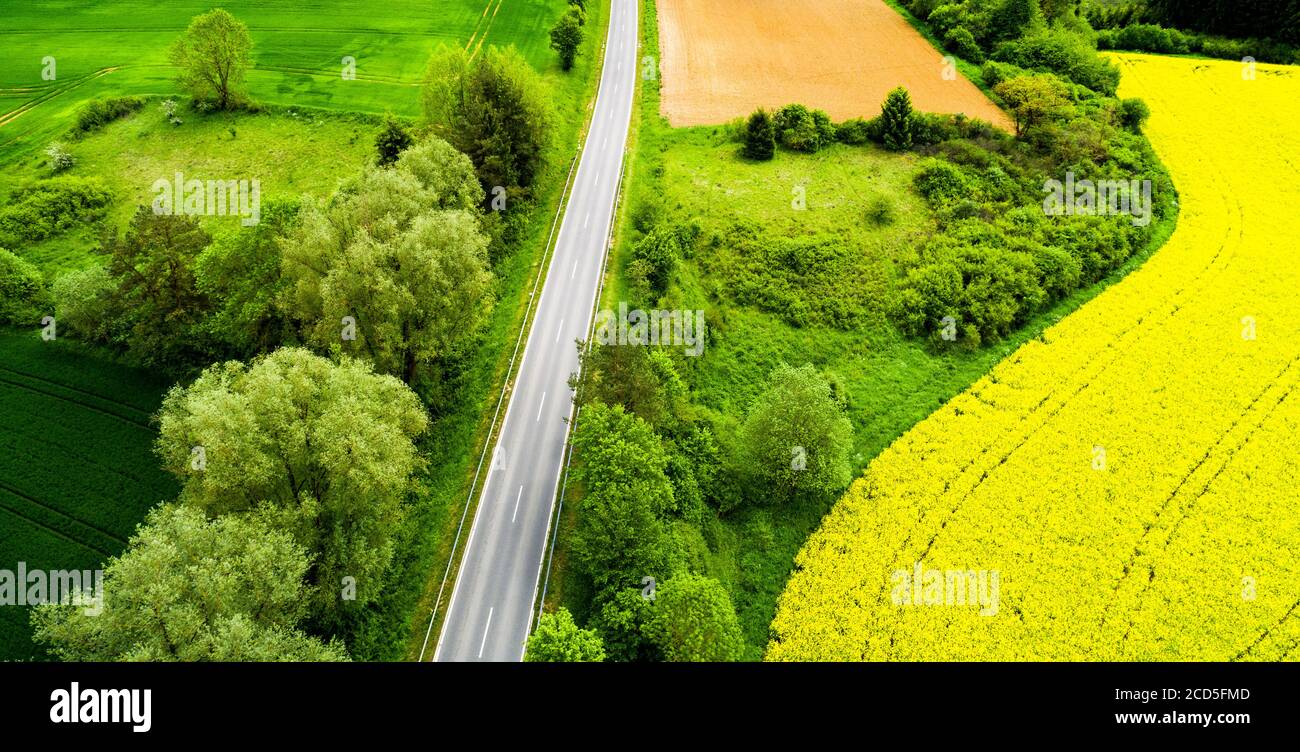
[298, 51]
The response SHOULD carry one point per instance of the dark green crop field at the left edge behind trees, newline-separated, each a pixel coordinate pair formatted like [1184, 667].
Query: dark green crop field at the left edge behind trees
[77, 465]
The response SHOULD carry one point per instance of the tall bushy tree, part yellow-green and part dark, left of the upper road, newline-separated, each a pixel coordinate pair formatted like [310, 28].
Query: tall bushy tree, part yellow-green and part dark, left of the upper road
[493, 109]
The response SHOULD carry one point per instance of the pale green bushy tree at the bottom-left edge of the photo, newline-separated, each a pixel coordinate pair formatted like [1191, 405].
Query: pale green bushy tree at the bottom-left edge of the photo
[189, 589]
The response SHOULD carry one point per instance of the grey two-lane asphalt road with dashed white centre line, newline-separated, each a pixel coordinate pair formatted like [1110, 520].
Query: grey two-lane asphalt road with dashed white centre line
[492, 604]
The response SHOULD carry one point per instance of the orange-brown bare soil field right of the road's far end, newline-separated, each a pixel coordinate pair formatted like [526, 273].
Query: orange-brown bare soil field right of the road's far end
[725, 58]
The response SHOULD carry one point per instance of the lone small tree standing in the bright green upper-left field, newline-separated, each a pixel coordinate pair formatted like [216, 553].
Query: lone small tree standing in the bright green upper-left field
[214, 58]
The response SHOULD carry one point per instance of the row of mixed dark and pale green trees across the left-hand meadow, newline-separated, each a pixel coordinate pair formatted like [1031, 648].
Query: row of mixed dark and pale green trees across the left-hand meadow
[393, 267]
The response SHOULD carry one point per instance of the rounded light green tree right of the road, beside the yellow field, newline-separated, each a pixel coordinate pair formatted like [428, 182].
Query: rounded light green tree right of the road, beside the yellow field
[796, 438]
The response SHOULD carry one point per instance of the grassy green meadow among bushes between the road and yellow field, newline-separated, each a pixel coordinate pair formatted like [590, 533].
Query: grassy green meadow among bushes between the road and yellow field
[891, 382]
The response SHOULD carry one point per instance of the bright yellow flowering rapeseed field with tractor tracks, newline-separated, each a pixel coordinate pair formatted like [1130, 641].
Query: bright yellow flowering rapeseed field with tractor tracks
[1129, 486]
